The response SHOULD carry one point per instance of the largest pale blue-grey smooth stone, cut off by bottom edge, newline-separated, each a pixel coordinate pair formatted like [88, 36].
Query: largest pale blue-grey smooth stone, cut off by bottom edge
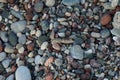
[22, 73]
